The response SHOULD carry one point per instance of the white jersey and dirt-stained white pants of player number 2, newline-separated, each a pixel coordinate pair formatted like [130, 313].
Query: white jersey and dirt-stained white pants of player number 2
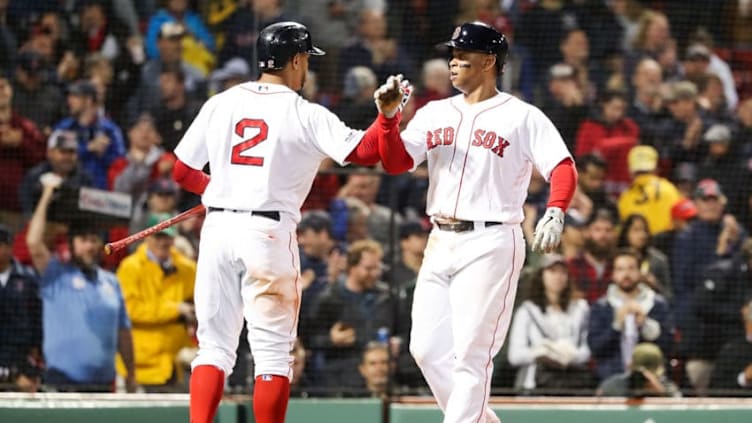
[264, 144]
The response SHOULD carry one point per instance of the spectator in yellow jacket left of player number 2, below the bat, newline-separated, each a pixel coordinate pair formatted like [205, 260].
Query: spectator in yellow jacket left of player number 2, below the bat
[157, 284]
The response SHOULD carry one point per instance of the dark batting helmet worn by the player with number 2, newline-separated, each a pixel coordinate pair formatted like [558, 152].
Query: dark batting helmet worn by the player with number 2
[279, 42]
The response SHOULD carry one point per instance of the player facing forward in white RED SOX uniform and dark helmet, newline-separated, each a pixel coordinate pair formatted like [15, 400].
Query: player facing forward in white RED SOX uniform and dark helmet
[481, 146]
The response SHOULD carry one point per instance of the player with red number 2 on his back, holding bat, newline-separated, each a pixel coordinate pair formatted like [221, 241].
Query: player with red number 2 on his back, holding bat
[264, 144]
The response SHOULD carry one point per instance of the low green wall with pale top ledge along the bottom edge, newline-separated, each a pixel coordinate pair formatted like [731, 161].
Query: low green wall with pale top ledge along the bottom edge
[86, 410]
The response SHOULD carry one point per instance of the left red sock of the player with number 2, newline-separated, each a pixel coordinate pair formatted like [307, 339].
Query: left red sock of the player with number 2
[207, 385]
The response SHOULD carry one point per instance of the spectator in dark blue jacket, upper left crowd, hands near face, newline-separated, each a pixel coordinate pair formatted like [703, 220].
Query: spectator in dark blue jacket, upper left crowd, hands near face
[100, 140]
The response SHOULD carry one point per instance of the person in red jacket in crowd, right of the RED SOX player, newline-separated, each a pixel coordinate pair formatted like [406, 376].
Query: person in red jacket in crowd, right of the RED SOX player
[611, 134]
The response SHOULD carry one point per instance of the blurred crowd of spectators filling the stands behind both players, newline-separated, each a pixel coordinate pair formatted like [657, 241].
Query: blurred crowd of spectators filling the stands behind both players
[650, 293]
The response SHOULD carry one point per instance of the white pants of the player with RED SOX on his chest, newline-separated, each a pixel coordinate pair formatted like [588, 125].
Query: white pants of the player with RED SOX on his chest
[464, 299]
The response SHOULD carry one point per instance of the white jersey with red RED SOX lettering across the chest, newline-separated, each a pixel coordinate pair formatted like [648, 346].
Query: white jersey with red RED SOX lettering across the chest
[480, 156]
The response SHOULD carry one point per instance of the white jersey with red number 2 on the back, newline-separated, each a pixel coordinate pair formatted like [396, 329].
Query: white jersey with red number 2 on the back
[264, 144]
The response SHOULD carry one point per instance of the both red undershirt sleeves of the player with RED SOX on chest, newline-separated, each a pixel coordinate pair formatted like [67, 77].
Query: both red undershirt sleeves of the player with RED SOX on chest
[396, 159]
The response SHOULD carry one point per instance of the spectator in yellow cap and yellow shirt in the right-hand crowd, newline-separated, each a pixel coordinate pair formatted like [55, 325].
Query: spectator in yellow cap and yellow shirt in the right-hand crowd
[649, 194]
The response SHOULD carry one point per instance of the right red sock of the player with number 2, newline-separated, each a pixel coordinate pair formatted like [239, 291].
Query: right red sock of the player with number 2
[270, 395]
